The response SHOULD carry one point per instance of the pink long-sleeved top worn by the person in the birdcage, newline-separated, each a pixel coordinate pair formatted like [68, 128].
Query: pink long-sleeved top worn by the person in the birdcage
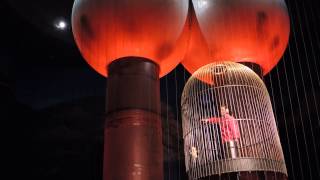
[229, 127]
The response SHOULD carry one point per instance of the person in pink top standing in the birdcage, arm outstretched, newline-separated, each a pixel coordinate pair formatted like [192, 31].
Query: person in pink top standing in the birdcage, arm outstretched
[229, 129]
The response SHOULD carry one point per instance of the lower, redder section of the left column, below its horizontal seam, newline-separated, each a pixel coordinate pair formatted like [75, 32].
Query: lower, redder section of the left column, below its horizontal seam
[133, 146]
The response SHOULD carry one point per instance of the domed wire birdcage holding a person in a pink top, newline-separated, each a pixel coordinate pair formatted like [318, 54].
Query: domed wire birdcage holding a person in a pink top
[228, 123]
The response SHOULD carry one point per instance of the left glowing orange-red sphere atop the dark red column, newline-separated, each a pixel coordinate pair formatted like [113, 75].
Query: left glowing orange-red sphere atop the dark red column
[106, 30]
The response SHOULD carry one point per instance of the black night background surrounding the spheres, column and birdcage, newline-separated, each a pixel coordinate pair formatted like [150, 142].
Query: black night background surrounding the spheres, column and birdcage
[52, 102]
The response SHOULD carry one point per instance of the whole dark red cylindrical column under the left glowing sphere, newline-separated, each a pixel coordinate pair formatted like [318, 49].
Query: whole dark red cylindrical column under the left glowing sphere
[133, 137]
